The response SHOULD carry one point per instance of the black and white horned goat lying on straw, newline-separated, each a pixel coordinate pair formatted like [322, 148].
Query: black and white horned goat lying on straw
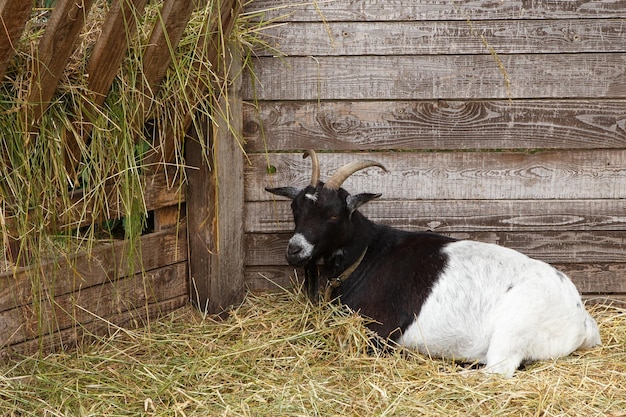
[448, 298]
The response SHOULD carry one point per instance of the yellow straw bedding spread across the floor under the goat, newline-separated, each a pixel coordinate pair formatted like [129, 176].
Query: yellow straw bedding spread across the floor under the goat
[278, 355]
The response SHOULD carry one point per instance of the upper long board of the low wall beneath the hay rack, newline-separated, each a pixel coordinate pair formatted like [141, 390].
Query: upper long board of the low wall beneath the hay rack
[106, 263]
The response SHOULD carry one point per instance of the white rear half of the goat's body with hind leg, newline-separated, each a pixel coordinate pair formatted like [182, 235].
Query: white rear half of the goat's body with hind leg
[499, 307]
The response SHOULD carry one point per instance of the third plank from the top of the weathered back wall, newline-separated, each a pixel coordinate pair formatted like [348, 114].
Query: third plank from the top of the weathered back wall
[440, 77]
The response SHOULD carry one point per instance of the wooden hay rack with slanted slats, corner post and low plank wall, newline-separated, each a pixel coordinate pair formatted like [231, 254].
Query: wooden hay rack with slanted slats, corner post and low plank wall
[59, 303]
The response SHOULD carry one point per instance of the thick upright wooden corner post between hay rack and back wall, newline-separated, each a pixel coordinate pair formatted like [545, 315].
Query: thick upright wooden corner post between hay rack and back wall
[215, 202]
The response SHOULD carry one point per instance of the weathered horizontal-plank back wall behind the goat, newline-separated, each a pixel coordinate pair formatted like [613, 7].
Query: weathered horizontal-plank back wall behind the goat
[499, 121]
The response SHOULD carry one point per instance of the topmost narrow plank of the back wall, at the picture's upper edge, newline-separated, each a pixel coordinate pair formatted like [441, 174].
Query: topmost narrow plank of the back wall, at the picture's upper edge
[412, 10]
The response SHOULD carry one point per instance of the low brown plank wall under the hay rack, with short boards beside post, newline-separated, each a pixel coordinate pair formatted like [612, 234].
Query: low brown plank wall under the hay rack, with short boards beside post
[60, 303]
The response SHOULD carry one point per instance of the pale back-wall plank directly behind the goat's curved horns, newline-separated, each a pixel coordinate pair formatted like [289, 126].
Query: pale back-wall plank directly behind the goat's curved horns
[575, 174]
